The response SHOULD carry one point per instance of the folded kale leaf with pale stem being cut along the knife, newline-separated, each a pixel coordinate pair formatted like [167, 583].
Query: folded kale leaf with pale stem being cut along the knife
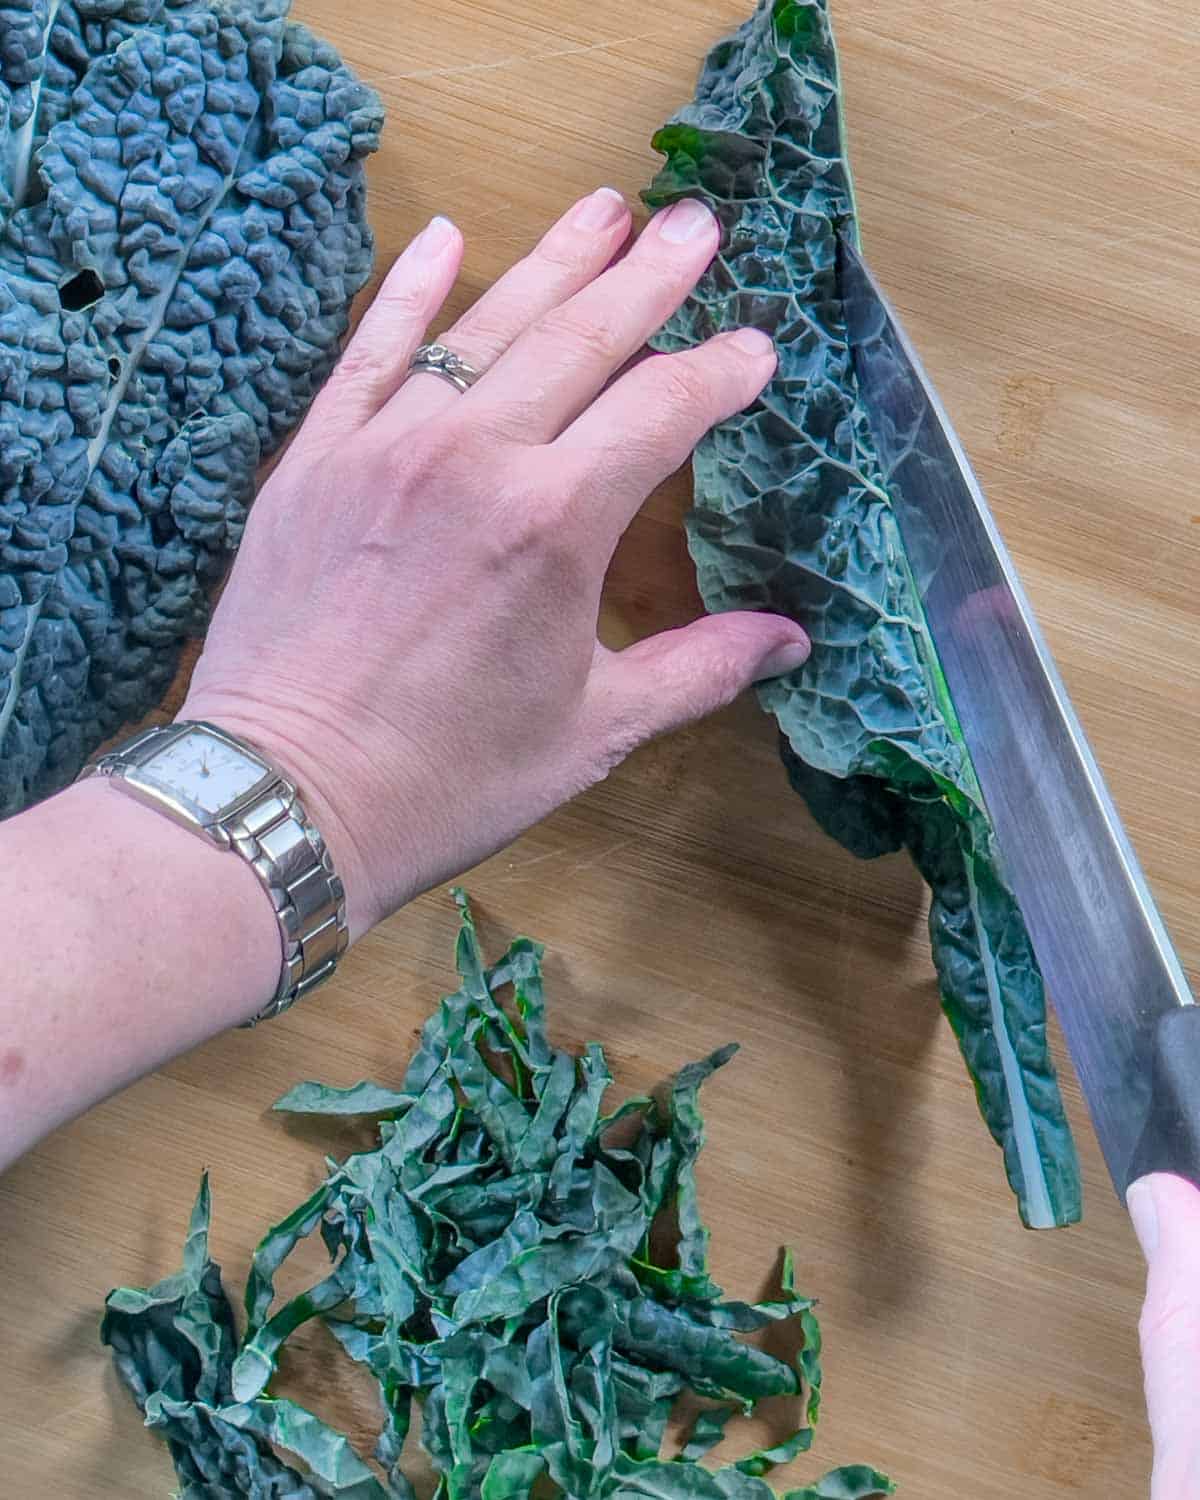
[793, 515]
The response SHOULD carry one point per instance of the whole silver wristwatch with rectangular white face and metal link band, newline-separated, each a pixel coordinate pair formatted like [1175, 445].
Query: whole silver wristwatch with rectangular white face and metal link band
[217, 785]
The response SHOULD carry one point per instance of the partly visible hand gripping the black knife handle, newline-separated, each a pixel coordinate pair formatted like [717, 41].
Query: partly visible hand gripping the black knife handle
[1166, 1214]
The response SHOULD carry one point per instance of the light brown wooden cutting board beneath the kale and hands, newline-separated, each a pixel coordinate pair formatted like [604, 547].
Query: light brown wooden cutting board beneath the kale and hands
[1030, 182]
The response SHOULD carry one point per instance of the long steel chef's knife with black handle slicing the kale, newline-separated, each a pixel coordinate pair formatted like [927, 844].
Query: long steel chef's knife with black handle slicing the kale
[1130, 1021]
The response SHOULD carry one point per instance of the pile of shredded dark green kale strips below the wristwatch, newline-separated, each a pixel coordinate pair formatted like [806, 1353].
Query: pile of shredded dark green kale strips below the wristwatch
[490, 1261]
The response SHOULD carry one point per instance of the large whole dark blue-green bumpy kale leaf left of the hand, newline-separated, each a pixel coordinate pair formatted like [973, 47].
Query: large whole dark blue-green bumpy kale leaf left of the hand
[182, 230]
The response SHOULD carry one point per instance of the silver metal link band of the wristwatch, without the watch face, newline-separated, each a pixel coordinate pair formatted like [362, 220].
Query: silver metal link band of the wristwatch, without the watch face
[290, 859]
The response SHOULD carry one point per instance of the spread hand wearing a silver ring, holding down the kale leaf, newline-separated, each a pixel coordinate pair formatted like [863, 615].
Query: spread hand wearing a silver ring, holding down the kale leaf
[410, 628]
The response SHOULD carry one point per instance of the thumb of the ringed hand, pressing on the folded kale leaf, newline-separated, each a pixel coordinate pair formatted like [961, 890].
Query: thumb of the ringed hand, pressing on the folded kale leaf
[685, 674]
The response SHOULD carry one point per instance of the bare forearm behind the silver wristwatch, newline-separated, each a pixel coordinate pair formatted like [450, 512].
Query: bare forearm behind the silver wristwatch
[128, 943]
